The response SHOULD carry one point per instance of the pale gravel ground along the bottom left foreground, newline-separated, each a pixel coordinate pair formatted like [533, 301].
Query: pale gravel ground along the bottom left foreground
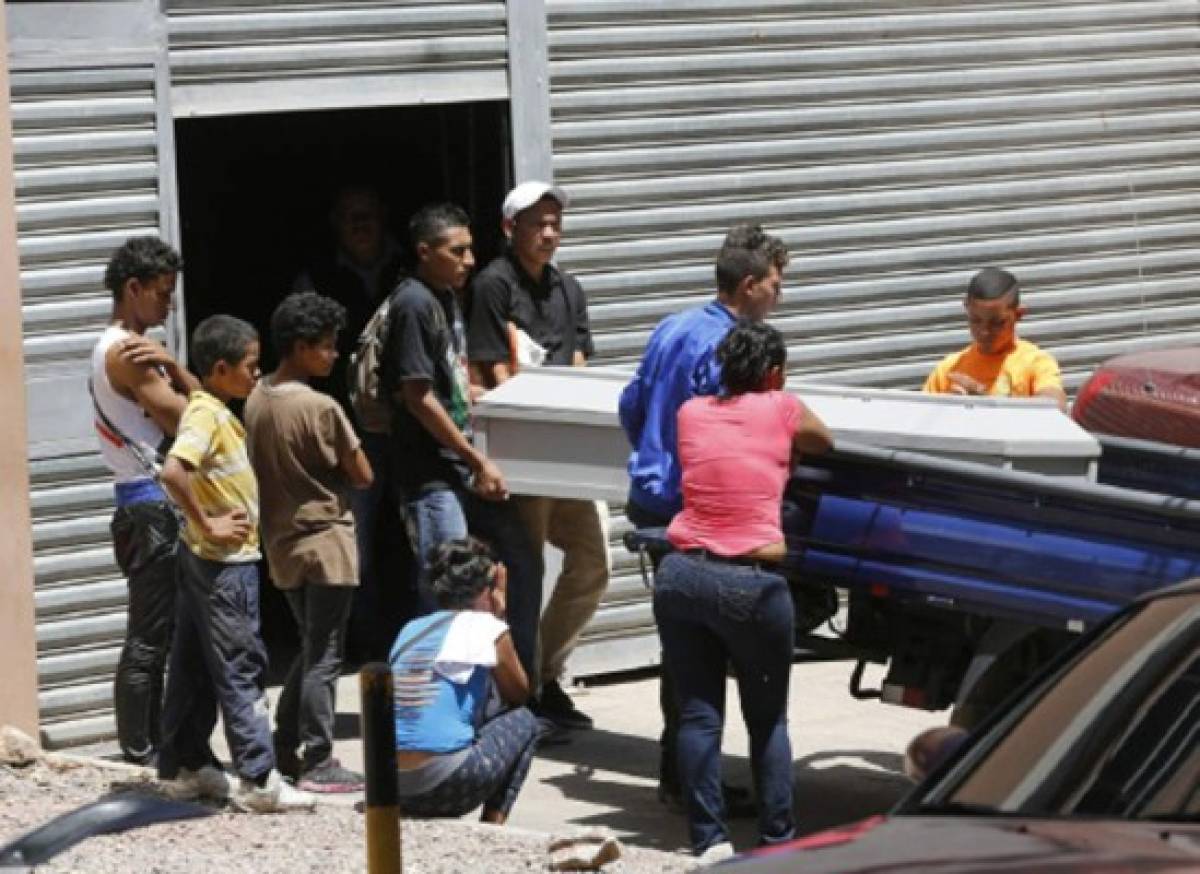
[329, 841]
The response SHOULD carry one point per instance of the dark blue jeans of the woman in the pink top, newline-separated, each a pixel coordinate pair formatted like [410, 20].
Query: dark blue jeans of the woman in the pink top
[712, 614]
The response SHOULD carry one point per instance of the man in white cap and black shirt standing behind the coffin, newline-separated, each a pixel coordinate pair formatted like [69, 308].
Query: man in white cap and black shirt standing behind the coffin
[523, 292]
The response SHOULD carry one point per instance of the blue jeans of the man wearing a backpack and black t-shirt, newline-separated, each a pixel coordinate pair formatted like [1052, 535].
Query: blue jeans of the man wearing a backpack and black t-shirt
[446, 514]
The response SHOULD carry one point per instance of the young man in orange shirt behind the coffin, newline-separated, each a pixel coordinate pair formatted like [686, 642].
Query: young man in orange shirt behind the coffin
[997, 363]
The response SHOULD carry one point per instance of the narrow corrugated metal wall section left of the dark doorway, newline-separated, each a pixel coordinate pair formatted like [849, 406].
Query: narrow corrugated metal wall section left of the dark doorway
[87, 172]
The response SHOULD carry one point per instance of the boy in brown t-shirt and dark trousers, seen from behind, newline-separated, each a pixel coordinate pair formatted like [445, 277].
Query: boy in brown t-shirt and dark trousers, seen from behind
[308, 457]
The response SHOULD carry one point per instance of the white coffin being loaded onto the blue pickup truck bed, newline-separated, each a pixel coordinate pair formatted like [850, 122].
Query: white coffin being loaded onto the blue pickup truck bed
[555, 430]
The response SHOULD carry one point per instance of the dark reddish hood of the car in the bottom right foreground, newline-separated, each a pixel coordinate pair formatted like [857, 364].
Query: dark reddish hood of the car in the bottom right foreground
[985, 846]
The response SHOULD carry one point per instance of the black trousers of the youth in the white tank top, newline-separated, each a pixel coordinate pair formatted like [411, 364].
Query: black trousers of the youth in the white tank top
[146, 538]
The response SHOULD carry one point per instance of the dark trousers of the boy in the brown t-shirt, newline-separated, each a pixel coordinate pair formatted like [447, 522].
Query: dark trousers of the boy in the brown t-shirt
[307, 709]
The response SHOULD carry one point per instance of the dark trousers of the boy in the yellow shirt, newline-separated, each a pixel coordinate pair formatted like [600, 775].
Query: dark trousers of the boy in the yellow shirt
[218, 660]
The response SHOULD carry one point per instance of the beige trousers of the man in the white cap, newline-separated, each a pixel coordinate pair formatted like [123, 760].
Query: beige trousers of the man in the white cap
[580, 530]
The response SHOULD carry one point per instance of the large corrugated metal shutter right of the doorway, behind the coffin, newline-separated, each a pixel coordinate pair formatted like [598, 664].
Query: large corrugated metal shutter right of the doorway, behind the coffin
[897, 146]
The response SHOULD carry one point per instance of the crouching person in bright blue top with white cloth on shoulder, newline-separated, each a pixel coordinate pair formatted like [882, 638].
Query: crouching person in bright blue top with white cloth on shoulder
[451, 757]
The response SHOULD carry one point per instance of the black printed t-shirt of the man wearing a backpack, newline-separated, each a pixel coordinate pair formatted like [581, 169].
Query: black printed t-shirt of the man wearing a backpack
[425, 342]
